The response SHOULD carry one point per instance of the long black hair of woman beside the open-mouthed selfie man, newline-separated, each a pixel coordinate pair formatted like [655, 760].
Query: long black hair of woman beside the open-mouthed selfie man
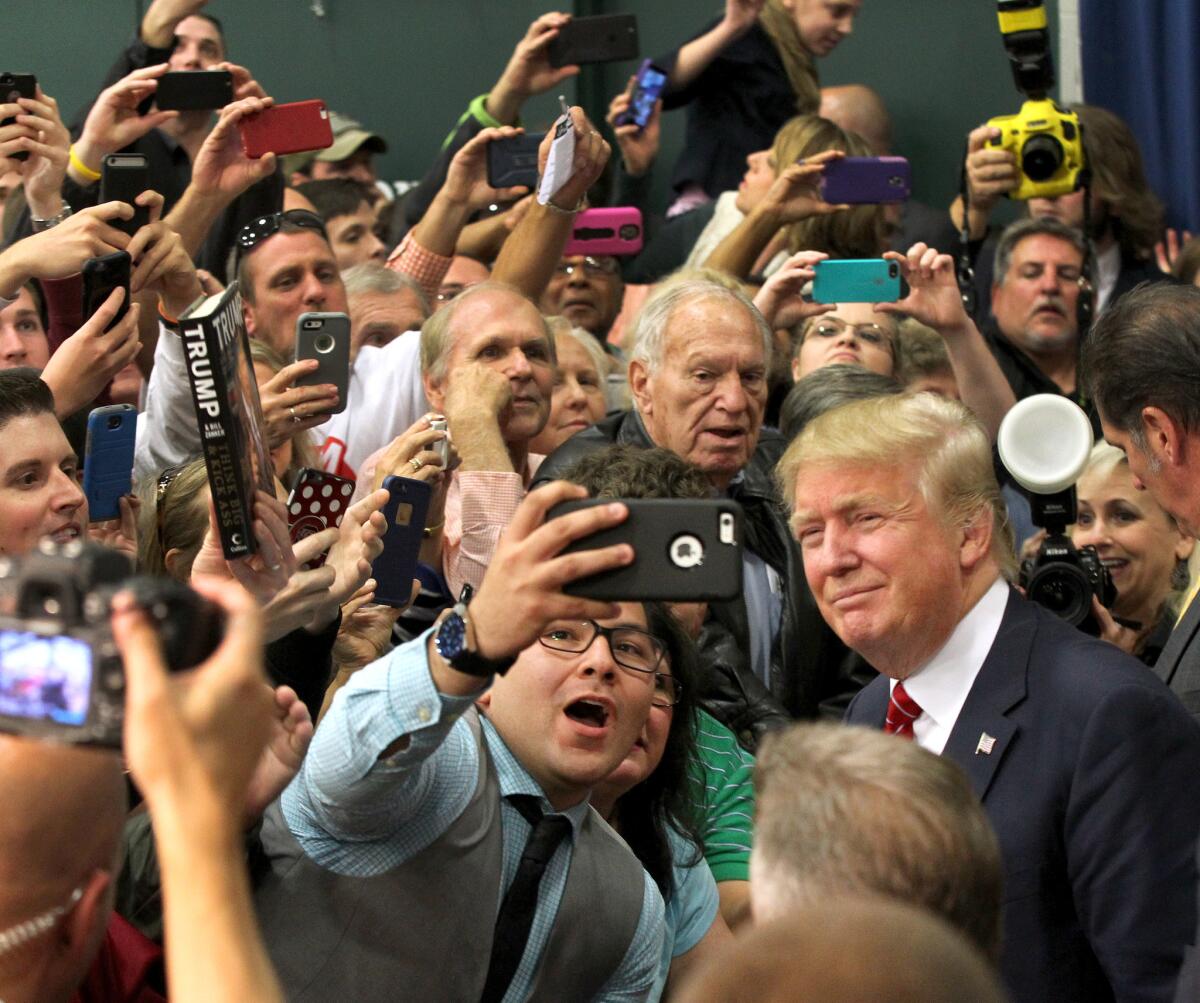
[665, 800]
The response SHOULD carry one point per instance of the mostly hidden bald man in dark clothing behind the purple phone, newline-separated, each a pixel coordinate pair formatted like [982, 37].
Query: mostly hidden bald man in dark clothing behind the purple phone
[857, 109]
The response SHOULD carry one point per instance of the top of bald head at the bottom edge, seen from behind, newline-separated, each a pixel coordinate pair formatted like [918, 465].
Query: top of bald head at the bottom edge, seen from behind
[845, 951]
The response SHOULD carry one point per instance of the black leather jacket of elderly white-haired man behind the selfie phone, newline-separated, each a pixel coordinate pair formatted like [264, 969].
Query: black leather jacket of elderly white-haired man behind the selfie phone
[812, 671]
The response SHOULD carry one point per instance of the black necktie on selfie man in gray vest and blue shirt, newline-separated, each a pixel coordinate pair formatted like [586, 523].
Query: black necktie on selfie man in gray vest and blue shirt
[520, 903]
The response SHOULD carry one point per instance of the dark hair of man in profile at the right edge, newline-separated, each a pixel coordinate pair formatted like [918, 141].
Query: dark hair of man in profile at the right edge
[1145, 352]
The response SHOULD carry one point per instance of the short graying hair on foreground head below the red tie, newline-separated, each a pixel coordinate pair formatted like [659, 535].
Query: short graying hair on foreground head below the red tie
[826, 827]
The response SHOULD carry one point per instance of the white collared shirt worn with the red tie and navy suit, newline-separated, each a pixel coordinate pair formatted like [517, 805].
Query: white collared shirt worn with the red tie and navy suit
[941, 686]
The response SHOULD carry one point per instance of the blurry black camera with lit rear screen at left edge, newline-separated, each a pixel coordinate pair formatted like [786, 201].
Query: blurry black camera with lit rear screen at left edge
[61, 674]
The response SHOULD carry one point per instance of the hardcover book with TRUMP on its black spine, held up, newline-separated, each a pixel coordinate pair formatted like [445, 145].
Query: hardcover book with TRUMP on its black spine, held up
[230, 416]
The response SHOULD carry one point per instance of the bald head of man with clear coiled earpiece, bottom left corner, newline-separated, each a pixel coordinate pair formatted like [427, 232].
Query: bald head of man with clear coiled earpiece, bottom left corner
[61, 838]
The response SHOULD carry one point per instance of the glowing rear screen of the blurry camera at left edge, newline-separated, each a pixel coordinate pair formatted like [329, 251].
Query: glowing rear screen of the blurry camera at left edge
[45, 678]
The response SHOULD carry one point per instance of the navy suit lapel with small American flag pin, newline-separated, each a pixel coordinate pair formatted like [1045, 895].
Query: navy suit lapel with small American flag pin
[983, 734]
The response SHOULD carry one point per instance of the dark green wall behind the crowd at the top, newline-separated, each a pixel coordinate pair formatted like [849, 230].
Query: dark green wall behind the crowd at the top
[407, 68]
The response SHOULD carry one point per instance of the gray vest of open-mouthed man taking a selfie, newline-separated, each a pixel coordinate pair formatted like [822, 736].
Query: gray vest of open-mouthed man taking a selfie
[424, 929]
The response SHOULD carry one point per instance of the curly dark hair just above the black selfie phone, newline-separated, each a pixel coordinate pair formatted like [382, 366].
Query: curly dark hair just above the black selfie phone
[633, 472]
